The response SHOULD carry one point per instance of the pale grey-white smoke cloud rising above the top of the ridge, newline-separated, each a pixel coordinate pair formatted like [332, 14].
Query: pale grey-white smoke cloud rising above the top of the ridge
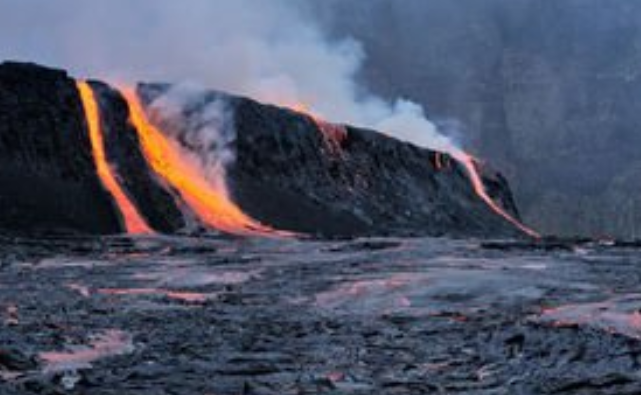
[271, 50]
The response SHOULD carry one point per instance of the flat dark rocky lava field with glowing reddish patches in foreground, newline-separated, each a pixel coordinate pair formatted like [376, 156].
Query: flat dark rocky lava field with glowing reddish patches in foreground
[368, 316]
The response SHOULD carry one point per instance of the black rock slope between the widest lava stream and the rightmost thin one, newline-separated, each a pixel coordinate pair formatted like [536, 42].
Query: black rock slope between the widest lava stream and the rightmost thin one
[377, 183]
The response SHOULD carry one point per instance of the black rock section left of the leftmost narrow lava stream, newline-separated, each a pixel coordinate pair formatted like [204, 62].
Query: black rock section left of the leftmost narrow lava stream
[47, 177]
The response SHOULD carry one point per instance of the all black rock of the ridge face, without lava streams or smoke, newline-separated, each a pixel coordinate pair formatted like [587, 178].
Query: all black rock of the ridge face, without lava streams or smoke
[285, 173]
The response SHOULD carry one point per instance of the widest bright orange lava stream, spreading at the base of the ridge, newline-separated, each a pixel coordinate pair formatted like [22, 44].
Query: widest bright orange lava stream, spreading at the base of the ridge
[212, 205]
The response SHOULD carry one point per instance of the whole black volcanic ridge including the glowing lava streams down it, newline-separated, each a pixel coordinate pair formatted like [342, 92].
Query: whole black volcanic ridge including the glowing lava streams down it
[92, 158]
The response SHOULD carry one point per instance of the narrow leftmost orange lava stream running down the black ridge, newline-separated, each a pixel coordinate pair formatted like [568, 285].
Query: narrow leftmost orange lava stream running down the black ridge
[134, 223]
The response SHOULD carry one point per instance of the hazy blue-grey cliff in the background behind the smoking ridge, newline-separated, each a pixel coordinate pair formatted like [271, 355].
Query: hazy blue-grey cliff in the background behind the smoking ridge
[549, 91]
